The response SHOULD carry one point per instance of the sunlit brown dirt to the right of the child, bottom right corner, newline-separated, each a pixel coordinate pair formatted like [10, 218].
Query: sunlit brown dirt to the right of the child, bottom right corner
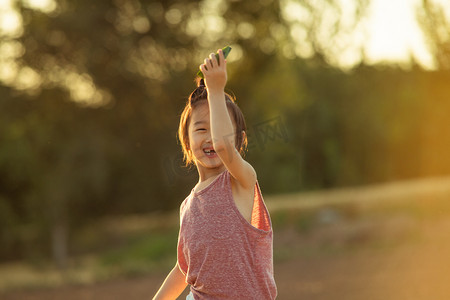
[418, 270]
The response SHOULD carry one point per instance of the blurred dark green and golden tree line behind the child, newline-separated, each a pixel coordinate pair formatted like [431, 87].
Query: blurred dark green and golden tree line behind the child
[67, 159]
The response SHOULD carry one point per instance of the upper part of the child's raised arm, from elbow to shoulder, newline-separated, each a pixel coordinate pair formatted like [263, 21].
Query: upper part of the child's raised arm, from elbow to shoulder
[240, 169]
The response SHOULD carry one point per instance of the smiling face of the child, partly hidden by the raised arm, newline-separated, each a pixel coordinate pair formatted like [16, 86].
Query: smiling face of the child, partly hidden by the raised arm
[200, 142]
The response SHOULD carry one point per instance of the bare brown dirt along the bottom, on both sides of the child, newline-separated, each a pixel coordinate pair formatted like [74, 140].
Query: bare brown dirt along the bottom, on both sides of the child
[415, 270]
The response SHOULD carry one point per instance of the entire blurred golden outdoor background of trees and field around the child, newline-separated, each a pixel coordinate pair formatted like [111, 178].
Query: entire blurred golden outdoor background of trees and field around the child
[347, 104]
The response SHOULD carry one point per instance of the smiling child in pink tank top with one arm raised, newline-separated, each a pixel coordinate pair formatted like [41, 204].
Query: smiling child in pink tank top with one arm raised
[225, 239]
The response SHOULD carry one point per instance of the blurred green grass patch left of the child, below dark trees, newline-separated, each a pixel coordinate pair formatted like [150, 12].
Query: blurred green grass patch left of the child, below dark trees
[133, 253]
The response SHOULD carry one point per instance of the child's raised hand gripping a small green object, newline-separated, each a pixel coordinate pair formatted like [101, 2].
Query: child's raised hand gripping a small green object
[215, 72]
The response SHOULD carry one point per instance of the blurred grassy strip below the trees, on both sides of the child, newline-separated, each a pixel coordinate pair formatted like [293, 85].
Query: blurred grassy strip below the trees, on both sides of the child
[138, 245]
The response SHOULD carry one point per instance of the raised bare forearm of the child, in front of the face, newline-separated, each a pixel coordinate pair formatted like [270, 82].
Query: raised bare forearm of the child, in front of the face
[222, 134]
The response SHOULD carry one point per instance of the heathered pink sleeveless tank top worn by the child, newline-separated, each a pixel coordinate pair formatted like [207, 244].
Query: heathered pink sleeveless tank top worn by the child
[221, 254]
